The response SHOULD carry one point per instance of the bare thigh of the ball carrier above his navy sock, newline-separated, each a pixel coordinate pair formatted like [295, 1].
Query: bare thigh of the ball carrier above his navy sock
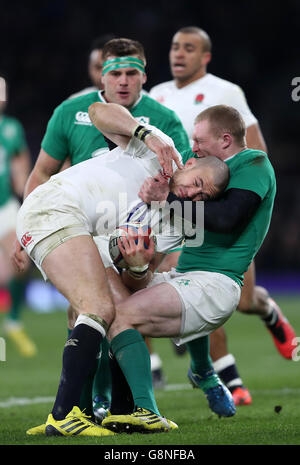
[76, 270]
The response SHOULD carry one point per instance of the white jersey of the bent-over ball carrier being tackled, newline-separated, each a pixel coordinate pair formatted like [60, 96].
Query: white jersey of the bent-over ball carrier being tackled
[104, 191]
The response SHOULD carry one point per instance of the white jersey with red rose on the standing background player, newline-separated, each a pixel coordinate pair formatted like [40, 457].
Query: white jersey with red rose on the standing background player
[205, 92]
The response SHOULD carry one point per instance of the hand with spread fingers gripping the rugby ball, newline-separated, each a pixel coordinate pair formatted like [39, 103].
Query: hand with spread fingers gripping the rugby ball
[136, 255]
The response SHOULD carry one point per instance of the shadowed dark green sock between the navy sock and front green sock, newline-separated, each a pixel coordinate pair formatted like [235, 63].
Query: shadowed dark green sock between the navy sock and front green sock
[102, 379]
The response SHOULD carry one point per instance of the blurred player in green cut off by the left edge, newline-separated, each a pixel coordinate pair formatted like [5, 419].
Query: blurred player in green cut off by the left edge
[14, 170]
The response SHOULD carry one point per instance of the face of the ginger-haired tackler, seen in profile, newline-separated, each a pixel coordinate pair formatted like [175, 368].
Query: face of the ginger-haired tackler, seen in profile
[205, 143]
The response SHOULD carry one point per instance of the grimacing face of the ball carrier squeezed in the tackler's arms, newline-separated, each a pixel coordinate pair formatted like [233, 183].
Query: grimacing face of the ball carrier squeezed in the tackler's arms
[194, 182]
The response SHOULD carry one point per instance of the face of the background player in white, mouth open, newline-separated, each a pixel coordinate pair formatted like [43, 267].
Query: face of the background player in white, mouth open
[187, 59]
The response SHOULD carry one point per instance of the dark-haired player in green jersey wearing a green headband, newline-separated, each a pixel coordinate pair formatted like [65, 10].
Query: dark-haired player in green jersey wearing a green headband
[78, 140]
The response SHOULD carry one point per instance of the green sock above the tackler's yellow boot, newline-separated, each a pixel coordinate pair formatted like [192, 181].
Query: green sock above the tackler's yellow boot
[133, 357]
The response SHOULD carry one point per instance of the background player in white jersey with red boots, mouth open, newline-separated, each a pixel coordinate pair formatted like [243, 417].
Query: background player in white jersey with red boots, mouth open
[192, 90]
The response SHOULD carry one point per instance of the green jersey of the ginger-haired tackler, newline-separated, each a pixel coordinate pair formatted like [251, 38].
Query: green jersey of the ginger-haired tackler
[232, 253]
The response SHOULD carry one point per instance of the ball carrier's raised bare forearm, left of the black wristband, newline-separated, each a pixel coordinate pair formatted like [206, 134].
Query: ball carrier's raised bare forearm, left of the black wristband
[111, 118]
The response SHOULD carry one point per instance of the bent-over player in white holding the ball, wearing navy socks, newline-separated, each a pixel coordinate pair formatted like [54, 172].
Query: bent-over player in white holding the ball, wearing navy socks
[56, 225]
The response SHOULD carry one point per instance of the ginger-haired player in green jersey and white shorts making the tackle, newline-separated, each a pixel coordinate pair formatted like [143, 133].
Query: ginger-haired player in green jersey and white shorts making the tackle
[205, 289]
